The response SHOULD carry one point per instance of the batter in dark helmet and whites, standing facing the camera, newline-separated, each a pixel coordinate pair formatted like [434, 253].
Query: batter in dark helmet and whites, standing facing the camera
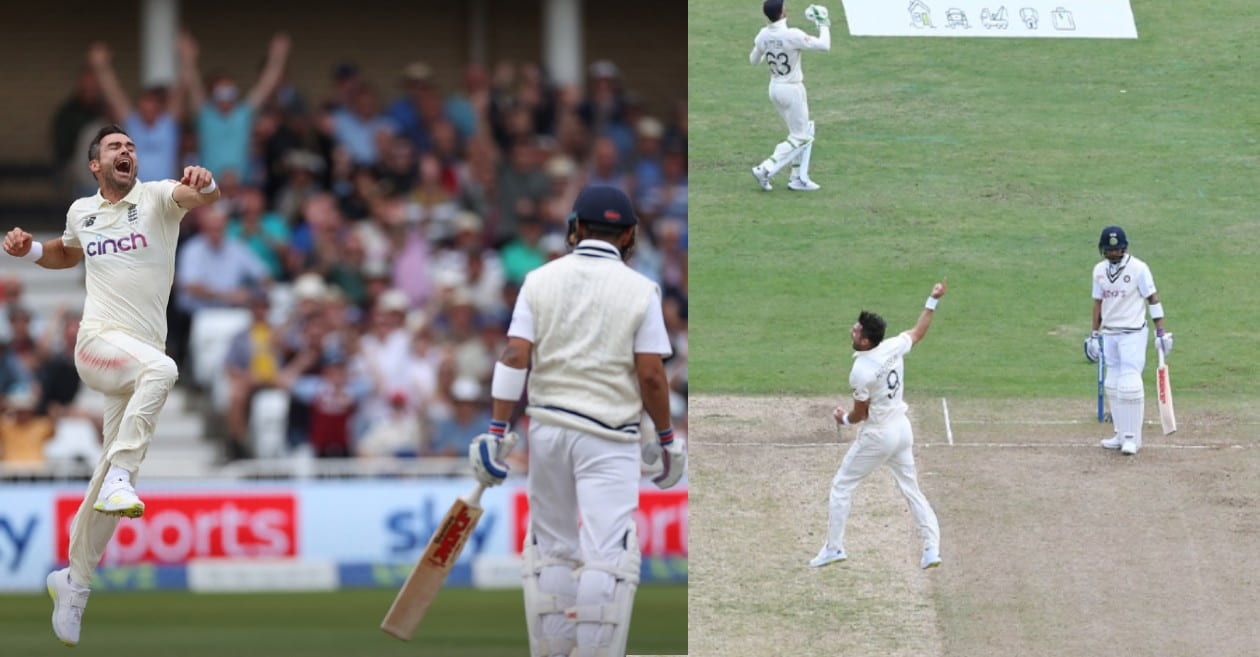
[1123, 292]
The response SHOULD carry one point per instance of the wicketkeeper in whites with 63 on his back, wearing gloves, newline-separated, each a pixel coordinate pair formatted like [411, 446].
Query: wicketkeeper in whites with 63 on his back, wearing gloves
[779, 47]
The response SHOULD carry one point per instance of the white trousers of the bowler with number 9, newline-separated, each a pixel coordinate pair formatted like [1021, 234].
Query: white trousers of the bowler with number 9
[879, 445]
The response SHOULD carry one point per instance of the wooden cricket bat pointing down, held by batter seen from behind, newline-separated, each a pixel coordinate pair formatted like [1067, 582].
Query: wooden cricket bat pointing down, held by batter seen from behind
[444, 549]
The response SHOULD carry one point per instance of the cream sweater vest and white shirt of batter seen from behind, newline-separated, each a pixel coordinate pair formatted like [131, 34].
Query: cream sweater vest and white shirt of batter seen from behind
[587, 315]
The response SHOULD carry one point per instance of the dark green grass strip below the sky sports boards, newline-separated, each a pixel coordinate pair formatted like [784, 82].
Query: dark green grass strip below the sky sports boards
[463, 622]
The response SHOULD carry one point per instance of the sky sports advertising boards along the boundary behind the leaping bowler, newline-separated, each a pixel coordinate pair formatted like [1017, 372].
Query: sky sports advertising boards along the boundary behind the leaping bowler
[317, 535]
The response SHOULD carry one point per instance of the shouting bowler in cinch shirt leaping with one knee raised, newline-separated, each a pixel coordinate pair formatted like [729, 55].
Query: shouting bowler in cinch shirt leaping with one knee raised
[128, 233]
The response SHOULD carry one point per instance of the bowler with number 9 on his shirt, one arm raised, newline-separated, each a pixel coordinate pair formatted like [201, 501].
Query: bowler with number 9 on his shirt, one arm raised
[886, 439]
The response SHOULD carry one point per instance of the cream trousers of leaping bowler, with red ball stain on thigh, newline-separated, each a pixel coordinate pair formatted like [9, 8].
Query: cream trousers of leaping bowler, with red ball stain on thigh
[135, 379]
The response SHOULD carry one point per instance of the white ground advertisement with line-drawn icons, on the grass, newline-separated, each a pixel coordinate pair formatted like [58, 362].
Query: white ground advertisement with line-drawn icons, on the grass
[1063, 20]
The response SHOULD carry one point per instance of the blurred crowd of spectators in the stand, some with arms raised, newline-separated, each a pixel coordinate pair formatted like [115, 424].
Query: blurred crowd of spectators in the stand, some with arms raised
[357, 279]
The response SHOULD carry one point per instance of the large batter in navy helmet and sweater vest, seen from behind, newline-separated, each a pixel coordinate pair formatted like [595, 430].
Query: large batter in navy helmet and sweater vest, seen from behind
[594, 332]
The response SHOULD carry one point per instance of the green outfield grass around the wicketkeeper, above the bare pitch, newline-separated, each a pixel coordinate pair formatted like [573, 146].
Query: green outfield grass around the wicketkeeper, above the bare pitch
[997, 163]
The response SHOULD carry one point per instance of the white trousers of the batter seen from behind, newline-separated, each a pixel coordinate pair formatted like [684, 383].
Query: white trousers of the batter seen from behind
[584, 492]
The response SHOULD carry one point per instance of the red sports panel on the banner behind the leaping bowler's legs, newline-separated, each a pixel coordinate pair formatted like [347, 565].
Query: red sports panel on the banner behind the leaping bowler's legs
[178, 528]
